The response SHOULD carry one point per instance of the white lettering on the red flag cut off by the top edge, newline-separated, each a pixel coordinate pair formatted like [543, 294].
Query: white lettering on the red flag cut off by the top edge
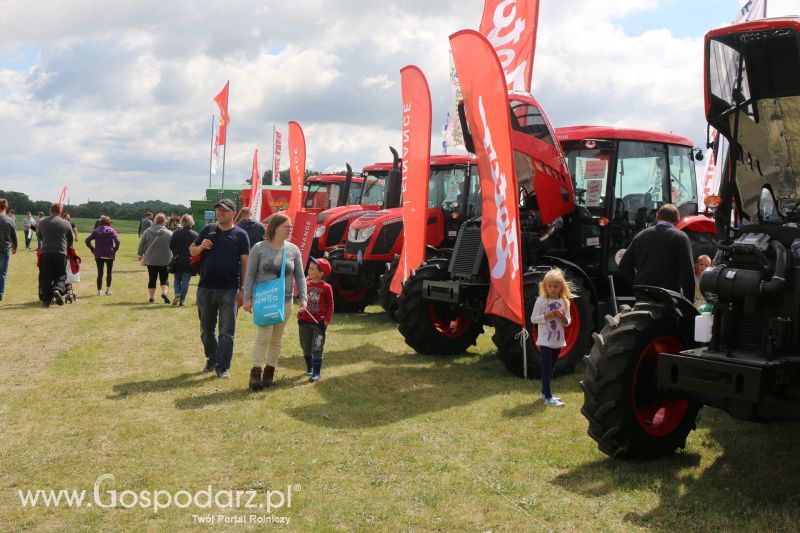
[512, 28]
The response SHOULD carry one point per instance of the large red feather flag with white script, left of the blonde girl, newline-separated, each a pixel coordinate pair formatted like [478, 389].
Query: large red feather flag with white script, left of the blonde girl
[486, 102]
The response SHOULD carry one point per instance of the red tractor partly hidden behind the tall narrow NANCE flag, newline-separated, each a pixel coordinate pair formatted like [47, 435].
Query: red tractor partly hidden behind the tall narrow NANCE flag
[375, 239]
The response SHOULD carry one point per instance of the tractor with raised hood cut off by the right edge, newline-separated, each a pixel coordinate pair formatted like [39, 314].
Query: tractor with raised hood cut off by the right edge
[654, 365]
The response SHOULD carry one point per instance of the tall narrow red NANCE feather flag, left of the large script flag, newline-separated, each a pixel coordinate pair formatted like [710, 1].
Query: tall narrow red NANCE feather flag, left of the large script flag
[416, 169]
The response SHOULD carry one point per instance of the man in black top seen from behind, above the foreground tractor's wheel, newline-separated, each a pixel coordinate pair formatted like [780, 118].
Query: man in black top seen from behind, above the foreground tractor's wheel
[661, 256]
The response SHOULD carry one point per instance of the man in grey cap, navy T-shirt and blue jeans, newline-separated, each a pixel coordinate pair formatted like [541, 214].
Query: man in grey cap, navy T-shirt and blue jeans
[225, 248]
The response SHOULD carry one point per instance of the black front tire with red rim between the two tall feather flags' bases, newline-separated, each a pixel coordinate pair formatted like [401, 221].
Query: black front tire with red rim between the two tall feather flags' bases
[429, 326]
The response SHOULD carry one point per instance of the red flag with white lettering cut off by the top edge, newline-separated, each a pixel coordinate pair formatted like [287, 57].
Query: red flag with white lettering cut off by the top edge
[510, 25]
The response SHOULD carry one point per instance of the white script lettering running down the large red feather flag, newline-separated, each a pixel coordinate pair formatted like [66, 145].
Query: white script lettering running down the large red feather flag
[506, 226]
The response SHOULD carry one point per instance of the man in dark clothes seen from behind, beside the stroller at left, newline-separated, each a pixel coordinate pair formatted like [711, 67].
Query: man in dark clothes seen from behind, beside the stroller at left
[56, 237]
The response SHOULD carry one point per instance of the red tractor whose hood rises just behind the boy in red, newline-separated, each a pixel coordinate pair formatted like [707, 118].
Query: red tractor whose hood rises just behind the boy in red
[359, 195]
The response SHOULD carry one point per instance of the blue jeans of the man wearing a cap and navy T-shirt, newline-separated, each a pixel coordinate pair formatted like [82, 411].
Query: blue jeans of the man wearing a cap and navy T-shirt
[213, 304]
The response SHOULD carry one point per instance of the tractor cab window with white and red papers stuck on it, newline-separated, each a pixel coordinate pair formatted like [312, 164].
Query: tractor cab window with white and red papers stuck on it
[589, 169]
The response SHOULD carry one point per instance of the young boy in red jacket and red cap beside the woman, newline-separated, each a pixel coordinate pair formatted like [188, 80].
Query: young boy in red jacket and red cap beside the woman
[314, 320]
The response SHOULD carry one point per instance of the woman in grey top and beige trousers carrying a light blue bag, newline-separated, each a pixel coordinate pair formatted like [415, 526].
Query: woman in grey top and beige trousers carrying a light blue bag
[264, 265]
